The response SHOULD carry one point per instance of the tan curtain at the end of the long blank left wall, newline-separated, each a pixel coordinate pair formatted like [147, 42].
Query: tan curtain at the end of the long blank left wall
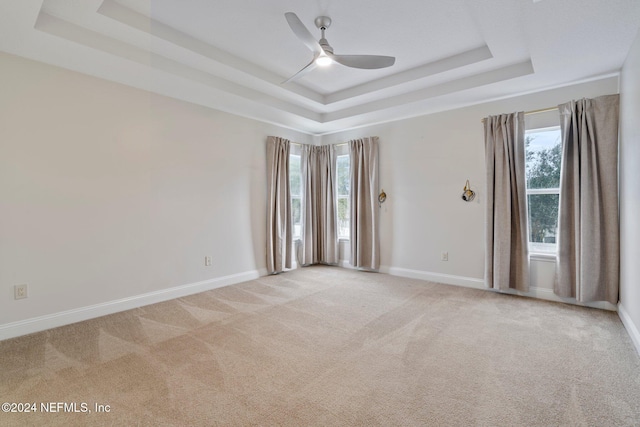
[279, 243]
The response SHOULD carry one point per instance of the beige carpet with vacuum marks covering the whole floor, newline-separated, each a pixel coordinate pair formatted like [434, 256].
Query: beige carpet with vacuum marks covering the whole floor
[331, 347]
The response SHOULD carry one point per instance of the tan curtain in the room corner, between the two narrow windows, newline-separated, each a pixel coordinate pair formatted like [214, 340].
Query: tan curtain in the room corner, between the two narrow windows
[319, 212]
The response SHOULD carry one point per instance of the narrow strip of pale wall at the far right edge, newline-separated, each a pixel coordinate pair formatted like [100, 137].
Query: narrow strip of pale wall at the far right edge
[629, 193]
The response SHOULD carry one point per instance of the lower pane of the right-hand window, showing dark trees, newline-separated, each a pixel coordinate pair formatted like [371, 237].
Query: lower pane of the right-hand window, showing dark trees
[543, 219]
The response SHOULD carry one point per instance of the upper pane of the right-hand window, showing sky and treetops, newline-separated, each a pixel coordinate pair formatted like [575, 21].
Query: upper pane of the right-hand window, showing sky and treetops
[543, 156]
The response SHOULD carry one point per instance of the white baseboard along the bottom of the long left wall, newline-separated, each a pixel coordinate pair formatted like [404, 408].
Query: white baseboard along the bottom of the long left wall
[49, 321]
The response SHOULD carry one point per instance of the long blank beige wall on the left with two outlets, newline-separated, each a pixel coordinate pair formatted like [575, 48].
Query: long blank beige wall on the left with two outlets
[109, 192]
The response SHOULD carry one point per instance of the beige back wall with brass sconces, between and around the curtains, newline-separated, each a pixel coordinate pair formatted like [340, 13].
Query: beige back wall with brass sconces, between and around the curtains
[424, 163]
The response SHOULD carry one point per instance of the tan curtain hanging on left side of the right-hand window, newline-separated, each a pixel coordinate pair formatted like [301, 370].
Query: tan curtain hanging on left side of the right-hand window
[507, 255]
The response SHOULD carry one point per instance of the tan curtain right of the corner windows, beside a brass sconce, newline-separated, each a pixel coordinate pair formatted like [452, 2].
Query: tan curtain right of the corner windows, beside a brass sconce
[365, 246]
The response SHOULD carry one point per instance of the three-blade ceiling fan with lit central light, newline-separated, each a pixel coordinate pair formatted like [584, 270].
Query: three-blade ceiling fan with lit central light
[323, 52]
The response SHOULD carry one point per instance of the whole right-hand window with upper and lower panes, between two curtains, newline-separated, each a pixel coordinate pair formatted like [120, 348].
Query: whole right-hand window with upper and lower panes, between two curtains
[543, 158]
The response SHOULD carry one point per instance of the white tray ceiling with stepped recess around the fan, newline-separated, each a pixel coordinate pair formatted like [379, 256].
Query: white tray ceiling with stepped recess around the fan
[232, 55]
